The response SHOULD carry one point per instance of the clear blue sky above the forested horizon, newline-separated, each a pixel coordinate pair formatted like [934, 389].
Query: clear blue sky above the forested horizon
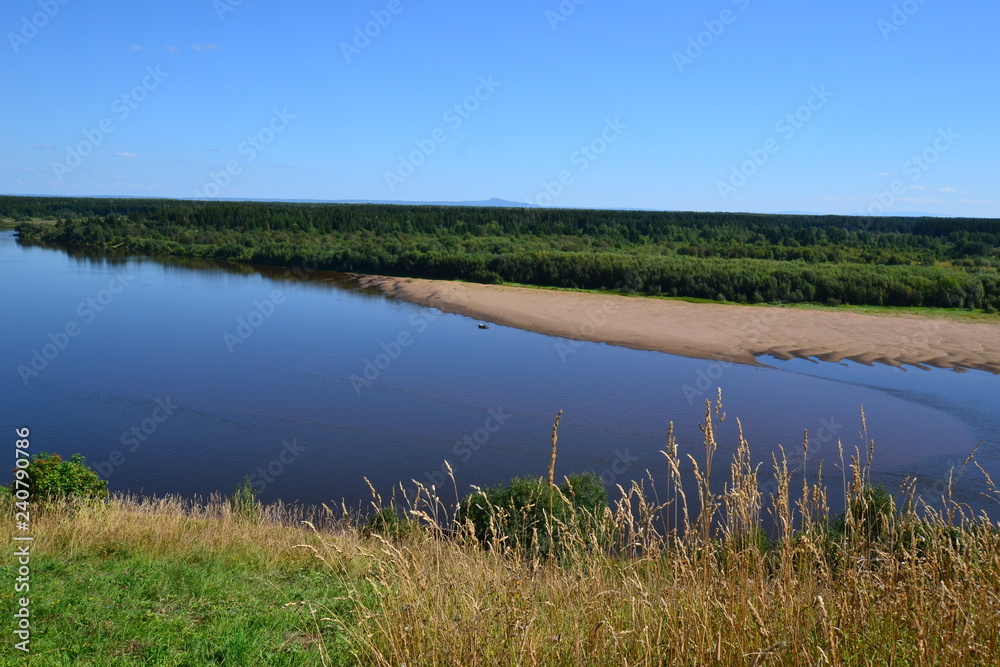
[728, 105]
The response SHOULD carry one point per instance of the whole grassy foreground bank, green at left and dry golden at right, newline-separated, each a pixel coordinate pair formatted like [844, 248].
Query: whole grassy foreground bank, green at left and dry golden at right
[172, 582]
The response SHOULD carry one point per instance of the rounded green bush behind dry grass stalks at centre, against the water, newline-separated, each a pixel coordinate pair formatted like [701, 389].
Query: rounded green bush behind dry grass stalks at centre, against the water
[529, 515]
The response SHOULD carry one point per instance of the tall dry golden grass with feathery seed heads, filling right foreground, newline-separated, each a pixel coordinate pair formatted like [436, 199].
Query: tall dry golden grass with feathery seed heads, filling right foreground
[911, 586]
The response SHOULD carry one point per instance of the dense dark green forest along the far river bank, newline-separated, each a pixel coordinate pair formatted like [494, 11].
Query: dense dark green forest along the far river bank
[737, 257]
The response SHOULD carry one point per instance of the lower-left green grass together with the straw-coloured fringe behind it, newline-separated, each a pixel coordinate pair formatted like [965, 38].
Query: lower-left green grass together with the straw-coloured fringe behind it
[162, 595]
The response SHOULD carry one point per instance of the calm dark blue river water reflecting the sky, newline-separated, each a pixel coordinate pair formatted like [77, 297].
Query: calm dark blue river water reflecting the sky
[294, 395]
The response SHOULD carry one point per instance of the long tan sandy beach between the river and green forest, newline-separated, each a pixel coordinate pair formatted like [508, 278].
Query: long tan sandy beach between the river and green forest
[712, 331]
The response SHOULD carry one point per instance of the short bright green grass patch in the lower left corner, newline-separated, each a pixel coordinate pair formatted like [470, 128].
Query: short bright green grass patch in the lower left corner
[125, 608]
